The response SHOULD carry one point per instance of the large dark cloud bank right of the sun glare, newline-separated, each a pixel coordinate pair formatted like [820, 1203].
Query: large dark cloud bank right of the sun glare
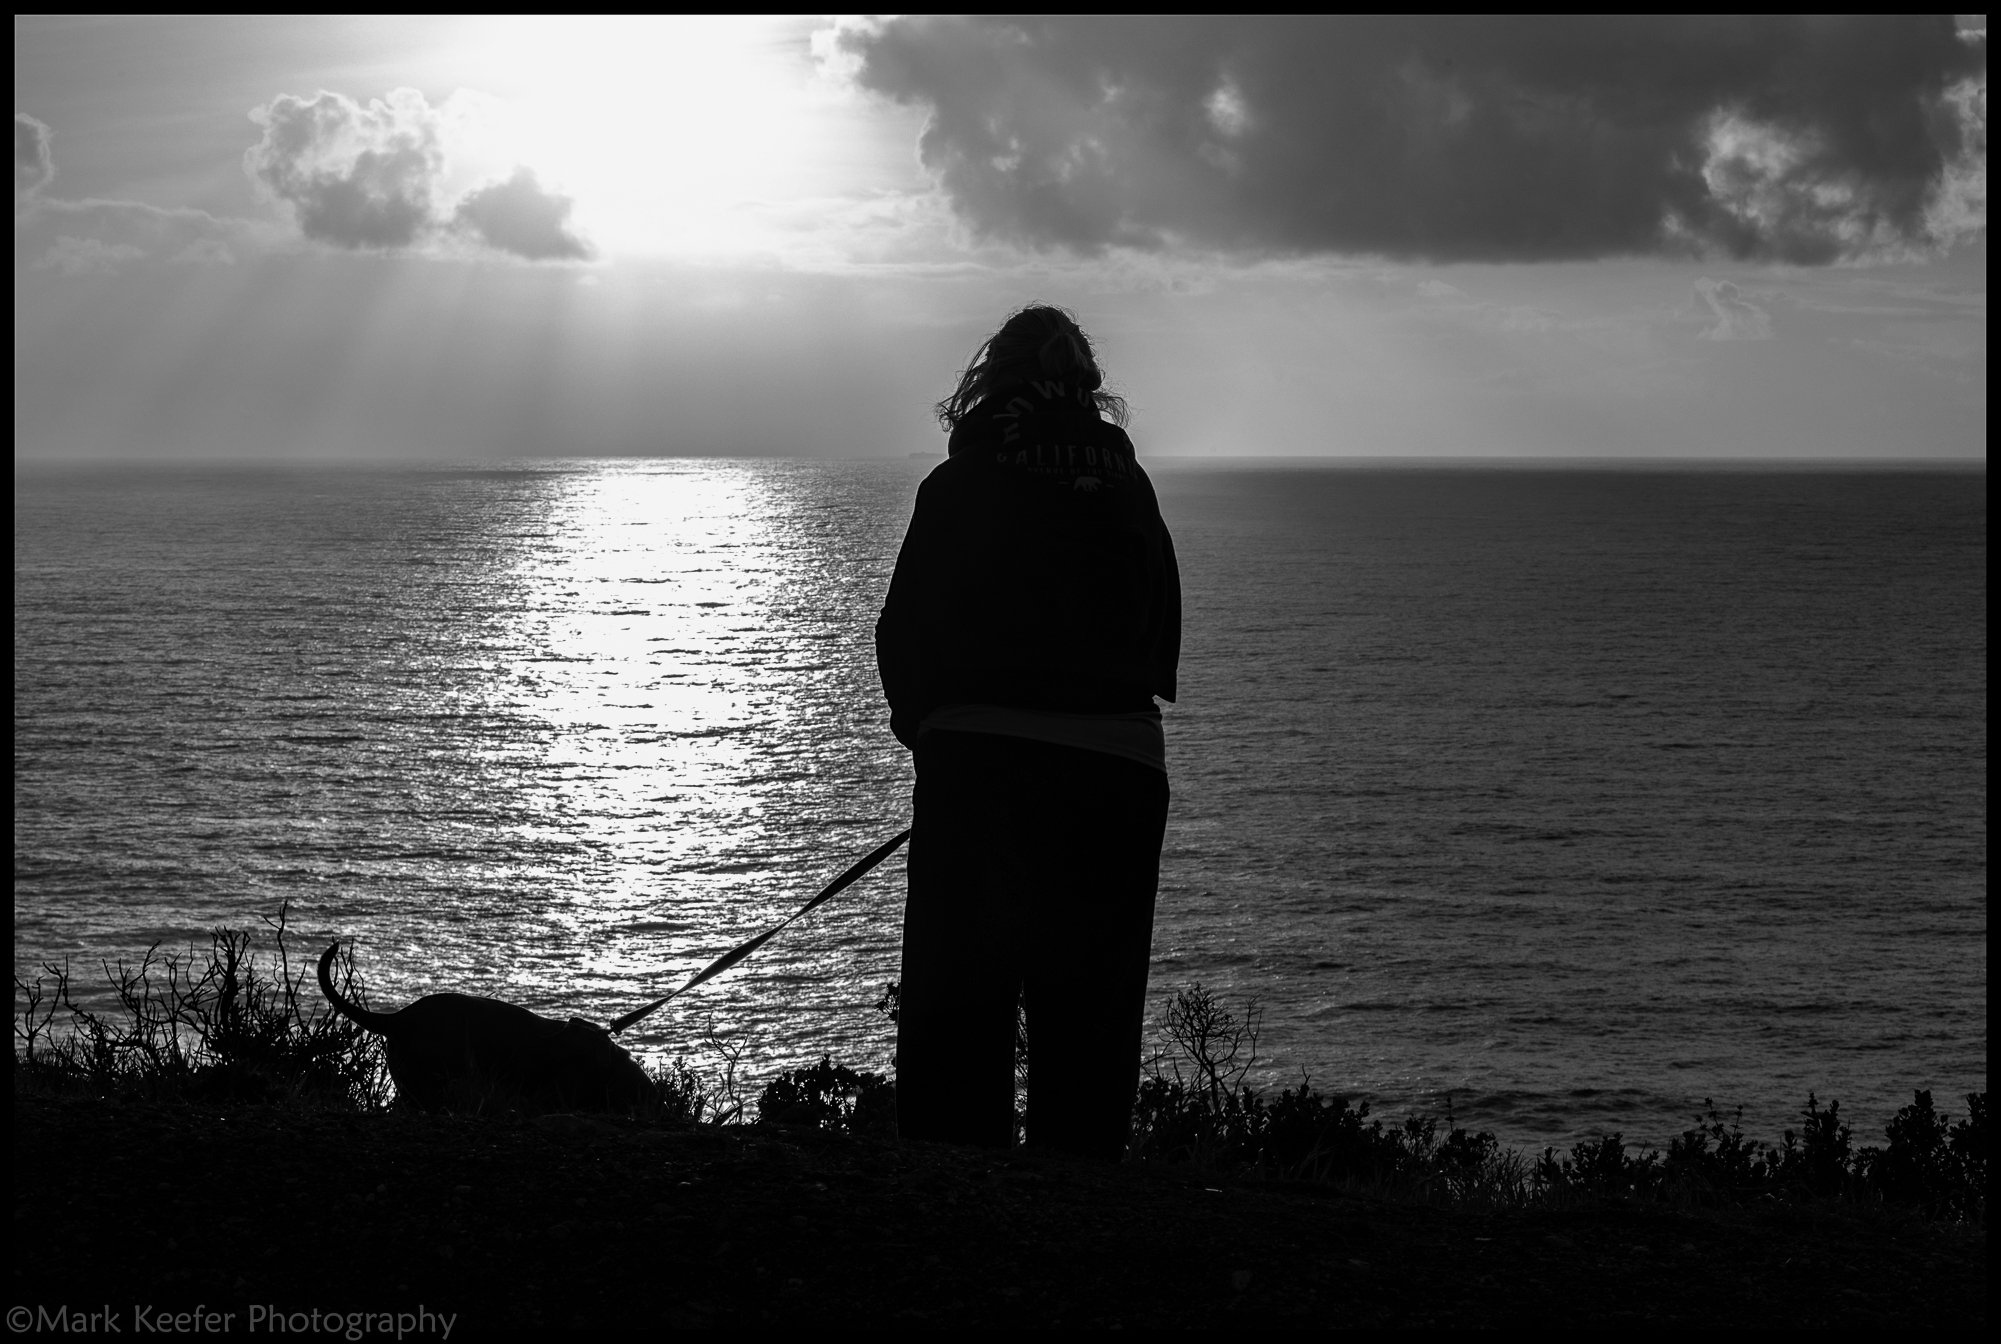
[1448, 139]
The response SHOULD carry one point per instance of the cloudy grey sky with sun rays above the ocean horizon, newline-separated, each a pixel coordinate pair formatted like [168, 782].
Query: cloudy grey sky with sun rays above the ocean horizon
[449, 239]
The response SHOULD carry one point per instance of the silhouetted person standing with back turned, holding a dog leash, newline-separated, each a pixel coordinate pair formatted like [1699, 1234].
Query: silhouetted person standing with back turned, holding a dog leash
[1034, 617]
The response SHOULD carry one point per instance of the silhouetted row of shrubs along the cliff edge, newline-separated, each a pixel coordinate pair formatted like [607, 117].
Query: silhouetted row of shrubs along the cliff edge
[229, 1029]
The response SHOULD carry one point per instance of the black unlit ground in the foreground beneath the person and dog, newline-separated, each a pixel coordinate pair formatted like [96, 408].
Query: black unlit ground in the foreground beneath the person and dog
[583, 1223]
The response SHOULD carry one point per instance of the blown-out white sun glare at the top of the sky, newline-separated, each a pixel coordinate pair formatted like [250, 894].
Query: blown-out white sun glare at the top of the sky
[671, 135]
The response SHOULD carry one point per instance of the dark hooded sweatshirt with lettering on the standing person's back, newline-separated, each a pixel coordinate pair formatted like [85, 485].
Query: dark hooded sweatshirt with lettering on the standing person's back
[1038, 571]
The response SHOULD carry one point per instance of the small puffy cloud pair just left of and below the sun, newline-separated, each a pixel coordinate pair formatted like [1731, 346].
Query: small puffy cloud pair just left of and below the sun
[371, 179]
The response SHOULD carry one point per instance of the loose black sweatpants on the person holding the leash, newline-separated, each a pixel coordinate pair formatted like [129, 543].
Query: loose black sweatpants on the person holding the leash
[1032, 875]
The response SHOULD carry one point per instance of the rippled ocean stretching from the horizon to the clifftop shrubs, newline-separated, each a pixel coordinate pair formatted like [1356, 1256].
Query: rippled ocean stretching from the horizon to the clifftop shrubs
[1560, 797]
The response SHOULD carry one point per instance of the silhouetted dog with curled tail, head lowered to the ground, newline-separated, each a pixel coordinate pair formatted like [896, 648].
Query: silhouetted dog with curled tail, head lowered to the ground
[459, 1049]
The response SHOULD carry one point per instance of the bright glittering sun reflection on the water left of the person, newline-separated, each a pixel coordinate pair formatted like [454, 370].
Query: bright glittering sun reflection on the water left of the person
[687, 651]
